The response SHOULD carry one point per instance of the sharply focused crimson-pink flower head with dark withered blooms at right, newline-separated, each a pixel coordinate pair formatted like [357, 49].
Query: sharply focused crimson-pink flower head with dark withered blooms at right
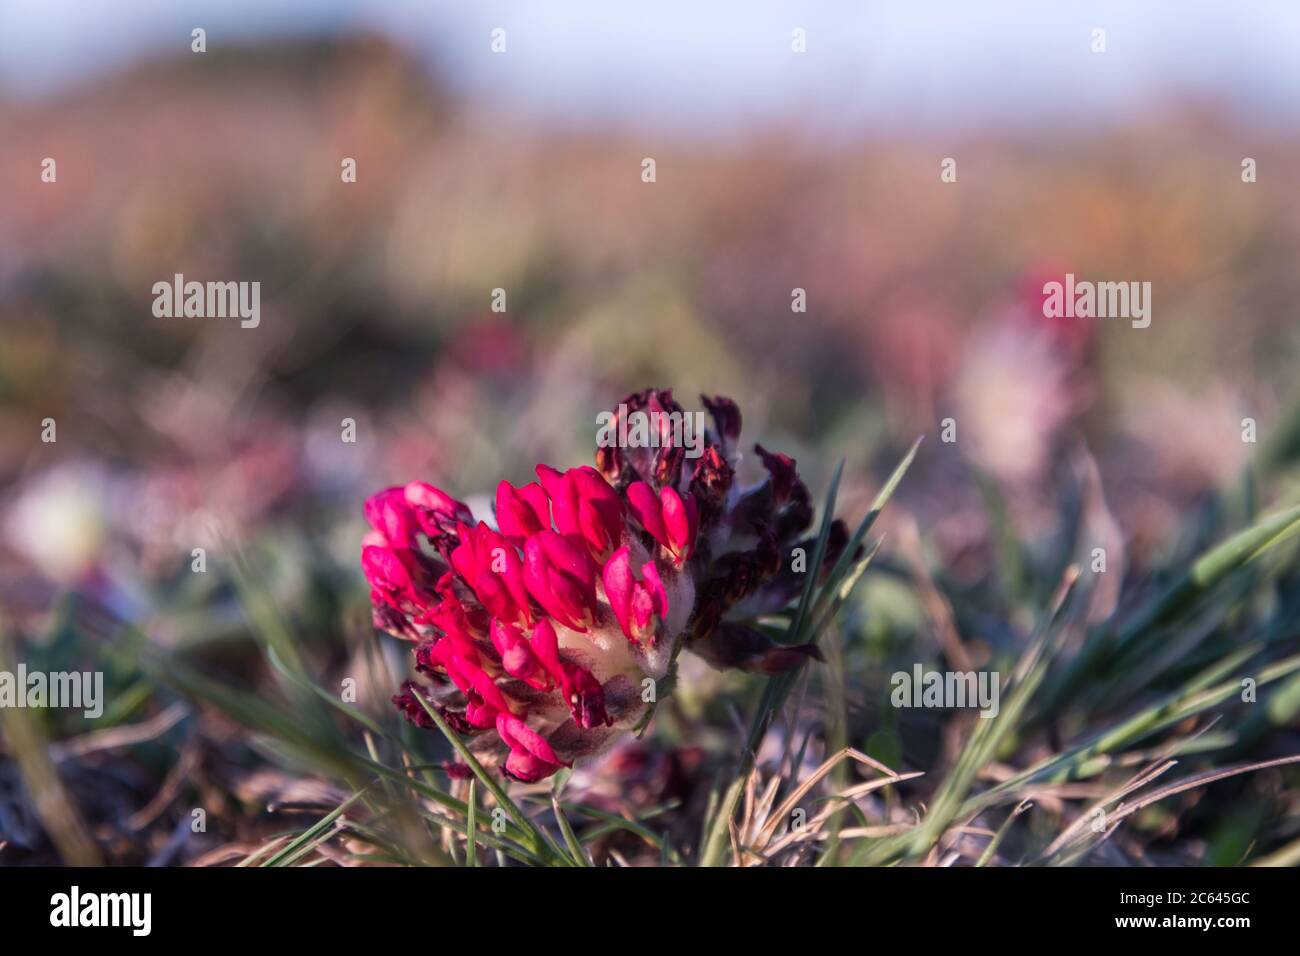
[543, 638]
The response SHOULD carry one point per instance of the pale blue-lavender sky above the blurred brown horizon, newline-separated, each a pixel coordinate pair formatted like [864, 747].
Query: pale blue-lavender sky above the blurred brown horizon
[729, 63]
